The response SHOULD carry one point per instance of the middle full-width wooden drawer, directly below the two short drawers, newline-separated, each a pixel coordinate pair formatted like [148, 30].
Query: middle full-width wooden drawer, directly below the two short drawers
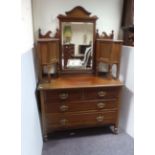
[81, 106]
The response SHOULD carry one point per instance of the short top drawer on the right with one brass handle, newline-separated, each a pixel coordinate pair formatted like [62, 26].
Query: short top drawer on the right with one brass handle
[99, 93]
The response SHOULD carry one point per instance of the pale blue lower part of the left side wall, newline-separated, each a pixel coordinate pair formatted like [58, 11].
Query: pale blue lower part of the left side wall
[31, 131]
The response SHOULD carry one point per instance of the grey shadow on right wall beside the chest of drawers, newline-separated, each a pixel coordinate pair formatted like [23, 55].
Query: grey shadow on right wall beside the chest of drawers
[126, 101]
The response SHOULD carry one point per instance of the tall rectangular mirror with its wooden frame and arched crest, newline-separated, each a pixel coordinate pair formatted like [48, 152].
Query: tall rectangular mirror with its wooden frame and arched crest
[77, 35]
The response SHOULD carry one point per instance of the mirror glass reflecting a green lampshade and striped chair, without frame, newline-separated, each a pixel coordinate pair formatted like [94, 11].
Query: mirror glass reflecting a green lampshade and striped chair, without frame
[77, 45]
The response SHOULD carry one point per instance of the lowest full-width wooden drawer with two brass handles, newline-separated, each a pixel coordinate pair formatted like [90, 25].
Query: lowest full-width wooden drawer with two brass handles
[81, 119]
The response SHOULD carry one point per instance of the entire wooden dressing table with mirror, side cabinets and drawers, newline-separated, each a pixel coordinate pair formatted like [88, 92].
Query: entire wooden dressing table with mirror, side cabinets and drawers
[79, 98]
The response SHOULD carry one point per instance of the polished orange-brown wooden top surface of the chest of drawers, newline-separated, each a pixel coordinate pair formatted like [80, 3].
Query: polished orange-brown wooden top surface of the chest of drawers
[79, 81]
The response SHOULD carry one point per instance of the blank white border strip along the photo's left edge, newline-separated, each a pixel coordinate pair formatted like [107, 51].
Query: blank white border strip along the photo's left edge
[10, 109]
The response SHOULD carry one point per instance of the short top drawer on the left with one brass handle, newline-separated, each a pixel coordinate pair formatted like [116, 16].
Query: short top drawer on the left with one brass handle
[62, 95]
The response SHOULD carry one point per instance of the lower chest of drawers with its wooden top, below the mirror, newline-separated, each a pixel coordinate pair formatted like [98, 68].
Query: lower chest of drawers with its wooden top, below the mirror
[80, 101]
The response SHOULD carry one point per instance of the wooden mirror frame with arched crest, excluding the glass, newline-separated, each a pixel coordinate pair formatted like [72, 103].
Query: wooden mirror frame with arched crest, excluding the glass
[78, 14]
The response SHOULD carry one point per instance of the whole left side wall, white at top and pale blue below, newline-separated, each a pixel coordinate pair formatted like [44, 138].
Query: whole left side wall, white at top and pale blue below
[31, 131]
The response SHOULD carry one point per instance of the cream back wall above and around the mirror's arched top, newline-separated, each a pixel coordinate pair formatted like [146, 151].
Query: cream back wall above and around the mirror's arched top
[45, 13]
